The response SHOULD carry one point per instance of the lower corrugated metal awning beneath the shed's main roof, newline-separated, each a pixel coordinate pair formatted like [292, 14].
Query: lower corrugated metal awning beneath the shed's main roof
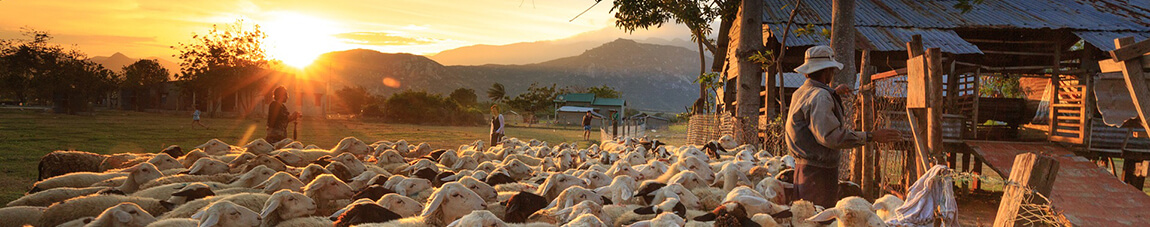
[886, 39]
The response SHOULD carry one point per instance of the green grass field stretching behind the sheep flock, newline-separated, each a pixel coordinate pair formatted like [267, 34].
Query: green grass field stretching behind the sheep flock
[28, 135]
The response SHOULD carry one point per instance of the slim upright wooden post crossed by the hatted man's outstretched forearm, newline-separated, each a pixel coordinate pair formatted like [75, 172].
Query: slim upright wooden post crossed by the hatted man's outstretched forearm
[868, 167]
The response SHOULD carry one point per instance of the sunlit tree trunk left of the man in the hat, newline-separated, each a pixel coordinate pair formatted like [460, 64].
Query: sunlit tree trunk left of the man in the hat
[747, 37]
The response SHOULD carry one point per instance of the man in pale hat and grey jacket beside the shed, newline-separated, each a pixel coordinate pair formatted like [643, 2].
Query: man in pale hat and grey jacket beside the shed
[816, 131]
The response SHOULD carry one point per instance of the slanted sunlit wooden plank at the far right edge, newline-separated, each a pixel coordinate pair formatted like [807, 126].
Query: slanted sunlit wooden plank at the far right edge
[1136, 82]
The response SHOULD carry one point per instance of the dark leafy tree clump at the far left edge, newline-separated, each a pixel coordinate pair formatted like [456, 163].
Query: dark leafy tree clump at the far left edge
[34, 70]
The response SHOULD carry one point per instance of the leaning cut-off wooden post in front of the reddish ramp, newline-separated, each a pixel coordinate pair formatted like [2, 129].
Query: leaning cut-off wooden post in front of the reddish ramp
[1031, 172]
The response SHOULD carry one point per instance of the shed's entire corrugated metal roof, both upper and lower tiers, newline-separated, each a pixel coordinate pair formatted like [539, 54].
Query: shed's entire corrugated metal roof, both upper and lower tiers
[890, 24]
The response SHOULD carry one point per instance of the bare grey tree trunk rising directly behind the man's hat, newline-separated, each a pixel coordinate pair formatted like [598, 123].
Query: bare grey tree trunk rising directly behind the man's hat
[842, 40]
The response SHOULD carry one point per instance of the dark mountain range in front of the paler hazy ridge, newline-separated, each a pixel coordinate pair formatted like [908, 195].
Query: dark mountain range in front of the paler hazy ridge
[655, 78]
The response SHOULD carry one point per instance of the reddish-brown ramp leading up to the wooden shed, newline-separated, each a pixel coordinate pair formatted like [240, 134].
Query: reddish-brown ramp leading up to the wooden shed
[1085, 193]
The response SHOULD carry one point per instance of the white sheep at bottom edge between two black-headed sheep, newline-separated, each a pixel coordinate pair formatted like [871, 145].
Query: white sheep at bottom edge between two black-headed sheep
[448, 205]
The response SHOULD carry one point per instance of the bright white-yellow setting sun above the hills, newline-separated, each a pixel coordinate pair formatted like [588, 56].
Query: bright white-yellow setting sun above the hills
[298, 40]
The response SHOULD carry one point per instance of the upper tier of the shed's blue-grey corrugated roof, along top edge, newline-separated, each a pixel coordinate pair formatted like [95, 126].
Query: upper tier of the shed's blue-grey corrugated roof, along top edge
[1115, 16]
